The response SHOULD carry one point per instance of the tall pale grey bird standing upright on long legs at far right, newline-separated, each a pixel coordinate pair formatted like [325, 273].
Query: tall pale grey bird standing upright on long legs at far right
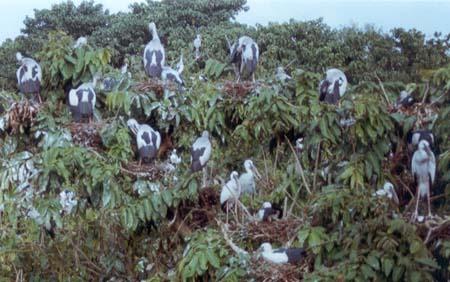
[423, 167]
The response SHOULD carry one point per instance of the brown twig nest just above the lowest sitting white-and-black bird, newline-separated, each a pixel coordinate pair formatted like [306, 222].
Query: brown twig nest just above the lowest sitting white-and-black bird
[258, 232]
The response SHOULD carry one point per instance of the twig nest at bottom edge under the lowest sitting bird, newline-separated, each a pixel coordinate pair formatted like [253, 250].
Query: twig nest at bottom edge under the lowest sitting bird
[262, 270]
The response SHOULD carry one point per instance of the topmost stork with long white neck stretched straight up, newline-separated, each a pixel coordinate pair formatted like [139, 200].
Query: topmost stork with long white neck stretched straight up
[154, 54]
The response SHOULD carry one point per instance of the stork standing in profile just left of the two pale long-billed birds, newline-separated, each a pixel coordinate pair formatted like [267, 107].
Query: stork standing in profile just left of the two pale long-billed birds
[200, 154]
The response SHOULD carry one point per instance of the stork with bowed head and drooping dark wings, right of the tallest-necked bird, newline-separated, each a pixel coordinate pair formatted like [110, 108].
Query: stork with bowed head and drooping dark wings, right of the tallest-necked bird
[244, 55]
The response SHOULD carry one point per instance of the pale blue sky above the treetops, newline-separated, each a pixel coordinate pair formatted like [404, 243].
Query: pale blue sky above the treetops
[427, 16]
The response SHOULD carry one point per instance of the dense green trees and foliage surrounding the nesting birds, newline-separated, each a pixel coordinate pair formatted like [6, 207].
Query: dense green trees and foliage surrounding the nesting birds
[158, 225]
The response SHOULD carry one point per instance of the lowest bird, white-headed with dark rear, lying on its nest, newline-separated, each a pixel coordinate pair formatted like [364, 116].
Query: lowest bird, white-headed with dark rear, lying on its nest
[282, 255]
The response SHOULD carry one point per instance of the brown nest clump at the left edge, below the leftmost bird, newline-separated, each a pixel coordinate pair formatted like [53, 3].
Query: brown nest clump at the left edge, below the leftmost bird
[21, 116]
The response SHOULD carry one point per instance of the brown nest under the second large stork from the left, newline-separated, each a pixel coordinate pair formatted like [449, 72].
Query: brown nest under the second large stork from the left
[86, 134]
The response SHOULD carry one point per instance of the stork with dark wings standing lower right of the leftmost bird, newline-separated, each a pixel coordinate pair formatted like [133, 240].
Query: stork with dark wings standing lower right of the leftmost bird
[82, 100]
